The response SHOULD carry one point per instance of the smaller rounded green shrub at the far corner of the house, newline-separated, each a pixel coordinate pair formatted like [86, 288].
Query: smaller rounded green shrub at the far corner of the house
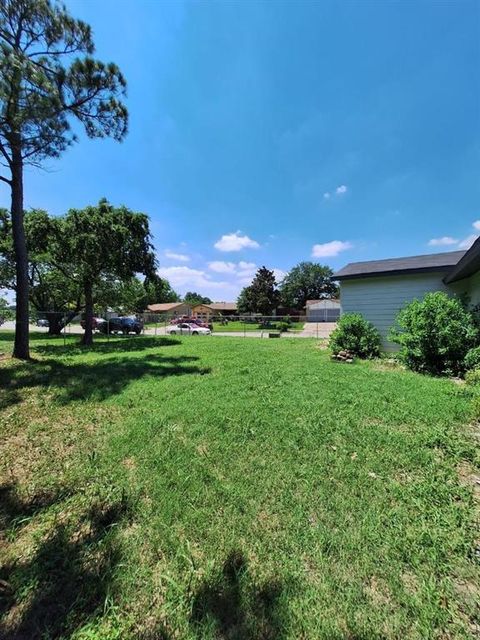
[356, 335]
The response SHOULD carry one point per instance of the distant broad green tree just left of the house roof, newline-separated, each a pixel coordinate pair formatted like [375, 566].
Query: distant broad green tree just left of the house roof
[307, 281]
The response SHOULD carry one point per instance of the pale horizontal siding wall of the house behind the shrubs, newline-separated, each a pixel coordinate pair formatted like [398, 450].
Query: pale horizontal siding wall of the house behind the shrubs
[380, 299]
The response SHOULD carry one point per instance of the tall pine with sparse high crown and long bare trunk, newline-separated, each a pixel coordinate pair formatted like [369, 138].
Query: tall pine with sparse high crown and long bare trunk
[47, 78]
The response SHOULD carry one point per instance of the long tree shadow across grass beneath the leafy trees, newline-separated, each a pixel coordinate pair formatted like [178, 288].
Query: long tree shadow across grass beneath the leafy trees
[97, 380]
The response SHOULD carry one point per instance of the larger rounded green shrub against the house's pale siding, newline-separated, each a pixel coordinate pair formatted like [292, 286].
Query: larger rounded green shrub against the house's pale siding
[434, 334]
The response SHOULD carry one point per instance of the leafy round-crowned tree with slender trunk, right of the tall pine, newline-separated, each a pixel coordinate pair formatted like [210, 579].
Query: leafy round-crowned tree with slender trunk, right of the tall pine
[101, 242]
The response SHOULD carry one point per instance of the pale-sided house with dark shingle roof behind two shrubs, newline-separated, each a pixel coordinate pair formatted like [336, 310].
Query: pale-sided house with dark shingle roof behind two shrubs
[378, 289]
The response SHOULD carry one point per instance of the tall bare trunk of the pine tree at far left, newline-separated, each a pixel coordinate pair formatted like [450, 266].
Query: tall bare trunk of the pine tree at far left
[21, 345]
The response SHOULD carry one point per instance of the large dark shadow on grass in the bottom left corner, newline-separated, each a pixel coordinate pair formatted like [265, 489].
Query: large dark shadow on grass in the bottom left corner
[67, 581]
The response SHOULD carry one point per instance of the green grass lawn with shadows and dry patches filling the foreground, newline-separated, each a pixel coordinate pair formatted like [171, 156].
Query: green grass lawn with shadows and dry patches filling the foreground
[160, 488]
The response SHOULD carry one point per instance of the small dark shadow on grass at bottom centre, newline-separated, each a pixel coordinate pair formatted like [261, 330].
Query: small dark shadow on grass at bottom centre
[236, 609]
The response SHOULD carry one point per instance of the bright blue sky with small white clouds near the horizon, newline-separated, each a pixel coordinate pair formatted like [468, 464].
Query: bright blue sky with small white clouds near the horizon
[270, 132]
